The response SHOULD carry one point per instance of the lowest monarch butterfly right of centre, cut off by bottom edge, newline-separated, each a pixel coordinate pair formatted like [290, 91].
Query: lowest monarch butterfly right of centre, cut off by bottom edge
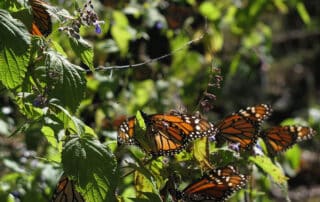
[218, 185]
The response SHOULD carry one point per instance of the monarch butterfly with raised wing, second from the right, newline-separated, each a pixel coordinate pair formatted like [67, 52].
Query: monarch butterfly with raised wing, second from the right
[242, 127]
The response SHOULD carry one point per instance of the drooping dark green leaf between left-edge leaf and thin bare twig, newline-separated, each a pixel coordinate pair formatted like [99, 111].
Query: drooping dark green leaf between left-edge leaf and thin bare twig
[67, 81]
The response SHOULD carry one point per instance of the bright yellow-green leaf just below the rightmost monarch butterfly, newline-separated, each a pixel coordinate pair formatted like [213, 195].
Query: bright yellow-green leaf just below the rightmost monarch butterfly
[267, 166]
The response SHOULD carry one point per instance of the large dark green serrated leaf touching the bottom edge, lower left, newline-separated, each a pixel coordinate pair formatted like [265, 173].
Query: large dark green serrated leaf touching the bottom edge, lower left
[93, 167]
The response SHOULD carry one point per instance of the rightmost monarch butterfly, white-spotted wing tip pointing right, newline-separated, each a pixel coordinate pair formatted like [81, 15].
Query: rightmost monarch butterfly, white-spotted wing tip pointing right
[280, 138]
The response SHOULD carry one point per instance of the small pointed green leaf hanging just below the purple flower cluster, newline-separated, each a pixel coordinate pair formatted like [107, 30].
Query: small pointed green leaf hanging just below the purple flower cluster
[83, 50]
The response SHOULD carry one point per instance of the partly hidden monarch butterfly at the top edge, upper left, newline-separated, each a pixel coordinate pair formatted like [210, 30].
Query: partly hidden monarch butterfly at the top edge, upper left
[41, 24]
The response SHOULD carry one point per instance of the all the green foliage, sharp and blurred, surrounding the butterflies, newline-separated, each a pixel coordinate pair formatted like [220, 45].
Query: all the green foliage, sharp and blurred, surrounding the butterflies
[57, 102]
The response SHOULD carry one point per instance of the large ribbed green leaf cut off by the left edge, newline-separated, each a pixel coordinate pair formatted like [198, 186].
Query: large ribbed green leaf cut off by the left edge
[14, 50]
